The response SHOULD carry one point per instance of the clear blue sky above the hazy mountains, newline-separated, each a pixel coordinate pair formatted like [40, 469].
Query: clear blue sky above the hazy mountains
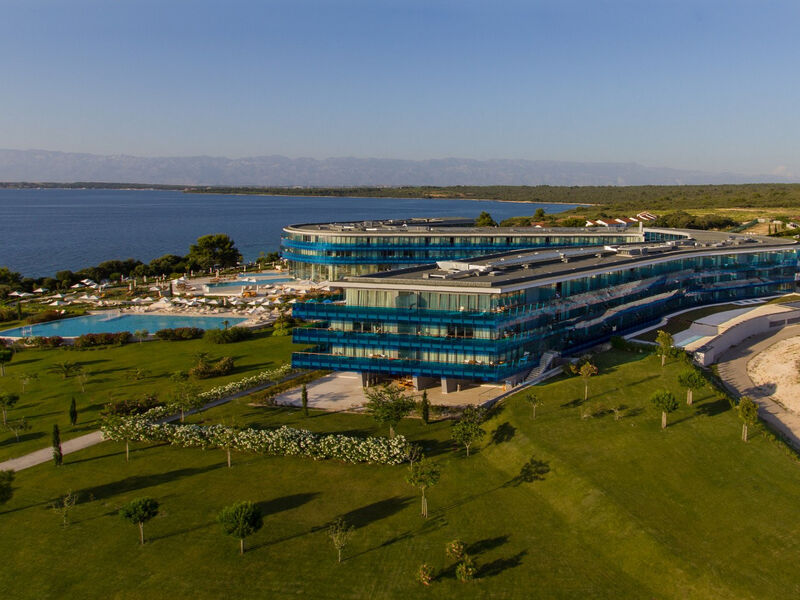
[712, 85]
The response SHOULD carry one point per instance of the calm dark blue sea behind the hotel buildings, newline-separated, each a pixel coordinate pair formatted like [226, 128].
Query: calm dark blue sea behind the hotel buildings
[44, 231]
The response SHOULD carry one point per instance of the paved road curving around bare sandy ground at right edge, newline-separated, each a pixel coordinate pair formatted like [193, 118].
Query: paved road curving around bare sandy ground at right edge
[732, 367]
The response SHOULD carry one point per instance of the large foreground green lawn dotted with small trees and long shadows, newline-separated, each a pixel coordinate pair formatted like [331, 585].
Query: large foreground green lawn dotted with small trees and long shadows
[625, 511]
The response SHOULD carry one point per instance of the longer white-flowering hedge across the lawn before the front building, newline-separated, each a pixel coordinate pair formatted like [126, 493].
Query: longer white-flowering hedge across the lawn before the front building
[284, 441]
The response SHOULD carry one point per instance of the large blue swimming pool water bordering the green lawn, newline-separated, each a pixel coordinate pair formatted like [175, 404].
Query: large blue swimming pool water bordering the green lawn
[115, 323]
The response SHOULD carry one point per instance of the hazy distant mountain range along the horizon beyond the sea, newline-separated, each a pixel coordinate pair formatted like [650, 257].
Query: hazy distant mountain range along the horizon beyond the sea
[64, 167]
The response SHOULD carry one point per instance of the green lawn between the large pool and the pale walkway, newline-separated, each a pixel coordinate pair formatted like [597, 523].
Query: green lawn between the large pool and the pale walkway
[46, 400]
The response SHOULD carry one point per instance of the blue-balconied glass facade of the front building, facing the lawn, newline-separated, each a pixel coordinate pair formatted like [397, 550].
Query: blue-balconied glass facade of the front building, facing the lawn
[490, 336]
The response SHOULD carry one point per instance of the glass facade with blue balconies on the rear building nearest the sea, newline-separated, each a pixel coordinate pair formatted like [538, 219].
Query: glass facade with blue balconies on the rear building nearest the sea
[330, 255]
